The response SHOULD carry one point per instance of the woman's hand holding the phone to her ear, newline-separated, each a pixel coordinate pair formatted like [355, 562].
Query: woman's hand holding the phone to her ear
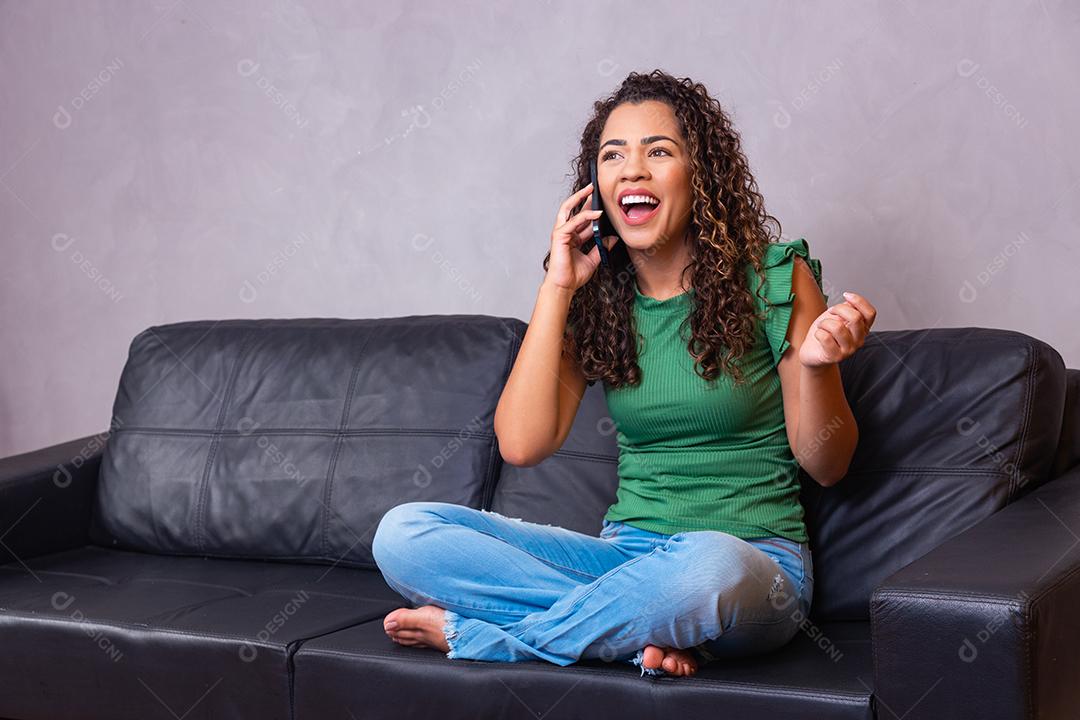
[569, 267]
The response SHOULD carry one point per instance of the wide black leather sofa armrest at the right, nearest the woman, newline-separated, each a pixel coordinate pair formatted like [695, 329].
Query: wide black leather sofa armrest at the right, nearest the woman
[987, 626]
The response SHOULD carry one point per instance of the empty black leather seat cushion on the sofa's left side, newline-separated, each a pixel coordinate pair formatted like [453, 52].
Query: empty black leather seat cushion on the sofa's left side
[101, 634]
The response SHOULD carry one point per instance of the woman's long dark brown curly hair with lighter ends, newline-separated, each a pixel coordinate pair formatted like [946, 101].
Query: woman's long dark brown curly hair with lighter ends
[728, 227]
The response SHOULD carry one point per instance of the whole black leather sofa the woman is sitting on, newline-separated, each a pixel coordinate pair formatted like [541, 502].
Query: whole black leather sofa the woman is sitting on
[210, 556]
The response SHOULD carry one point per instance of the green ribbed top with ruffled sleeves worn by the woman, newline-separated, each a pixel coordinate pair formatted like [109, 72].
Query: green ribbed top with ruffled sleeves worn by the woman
[699, 456]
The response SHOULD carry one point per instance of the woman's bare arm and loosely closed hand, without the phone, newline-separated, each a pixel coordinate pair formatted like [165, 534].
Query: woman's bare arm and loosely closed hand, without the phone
[821, 428]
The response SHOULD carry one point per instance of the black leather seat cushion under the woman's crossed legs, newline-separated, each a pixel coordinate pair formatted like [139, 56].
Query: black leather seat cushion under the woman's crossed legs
[825, 673]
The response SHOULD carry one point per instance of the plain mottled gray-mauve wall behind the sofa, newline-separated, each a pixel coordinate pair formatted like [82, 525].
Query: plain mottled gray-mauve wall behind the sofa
[188, 159]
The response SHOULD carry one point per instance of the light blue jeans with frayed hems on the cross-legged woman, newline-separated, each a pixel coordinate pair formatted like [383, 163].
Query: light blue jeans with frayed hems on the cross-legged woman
[517, 591]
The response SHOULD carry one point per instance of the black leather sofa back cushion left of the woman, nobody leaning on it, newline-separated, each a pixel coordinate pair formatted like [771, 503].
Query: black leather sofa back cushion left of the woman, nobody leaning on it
[290, 439]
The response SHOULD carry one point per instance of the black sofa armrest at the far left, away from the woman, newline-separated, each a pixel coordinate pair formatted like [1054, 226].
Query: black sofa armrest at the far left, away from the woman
[46, 498]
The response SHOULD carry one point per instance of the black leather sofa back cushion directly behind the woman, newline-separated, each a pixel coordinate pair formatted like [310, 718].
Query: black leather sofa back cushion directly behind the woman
[954, 424]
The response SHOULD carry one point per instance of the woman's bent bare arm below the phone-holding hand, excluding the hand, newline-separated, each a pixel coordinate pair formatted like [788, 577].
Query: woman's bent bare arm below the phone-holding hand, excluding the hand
[544, 392]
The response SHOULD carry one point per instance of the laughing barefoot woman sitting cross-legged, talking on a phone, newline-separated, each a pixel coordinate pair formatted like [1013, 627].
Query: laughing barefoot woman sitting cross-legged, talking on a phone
[719, 359]
